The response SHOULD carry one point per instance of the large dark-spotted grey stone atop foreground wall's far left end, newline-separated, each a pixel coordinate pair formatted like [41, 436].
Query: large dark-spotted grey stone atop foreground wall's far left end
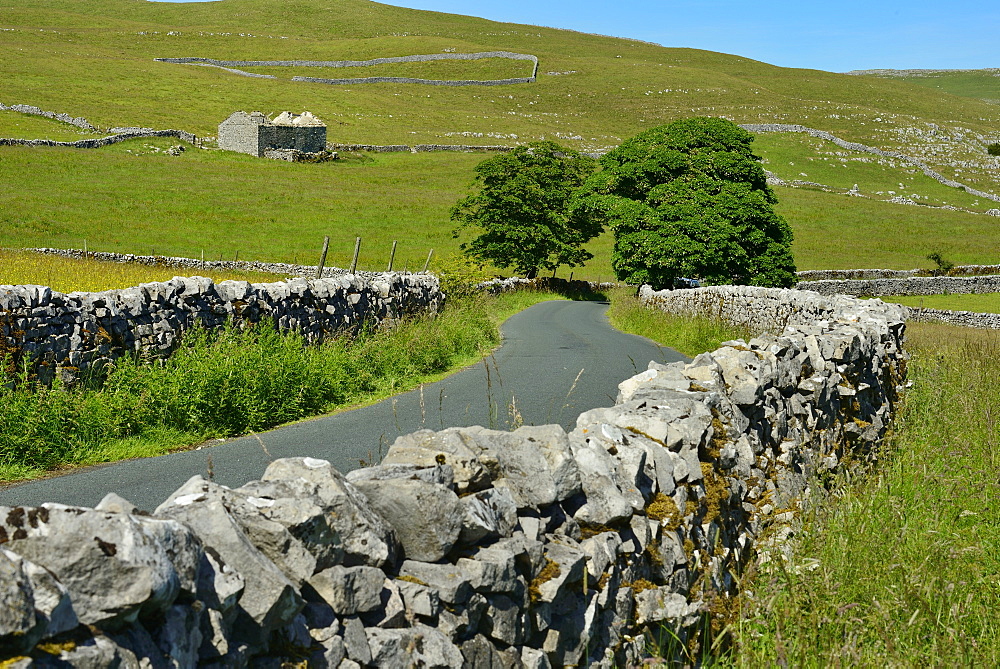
[112, 567]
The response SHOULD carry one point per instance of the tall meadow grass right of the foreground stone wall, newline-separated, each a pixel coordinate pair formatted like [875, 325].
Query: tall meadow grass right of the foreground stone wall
[901, 568]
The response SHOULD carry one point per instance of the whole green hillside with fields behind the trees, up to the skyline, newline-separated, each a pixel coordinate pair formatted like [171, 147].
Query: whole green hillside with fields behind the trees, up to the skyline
[95, 59]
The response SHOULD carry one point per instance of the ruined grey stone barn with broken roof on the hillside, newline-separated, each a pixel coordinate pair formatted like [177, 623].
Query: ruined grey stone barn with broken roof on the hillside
[256, 134]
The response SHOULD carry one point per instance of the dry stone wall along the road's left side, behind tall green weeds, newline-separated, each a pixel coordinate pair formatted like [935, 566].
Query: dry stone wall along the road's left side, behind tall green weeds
[65, 333]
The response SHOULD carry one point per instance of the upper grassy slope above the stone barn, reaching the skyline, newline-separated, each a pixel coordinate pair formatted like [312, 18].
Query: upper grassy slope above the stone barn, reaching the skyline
[95, 59]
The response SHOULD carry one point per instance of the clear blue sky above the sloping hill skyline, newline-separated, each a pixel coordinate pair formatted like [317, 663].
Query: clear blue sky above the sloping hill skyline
[838, 35]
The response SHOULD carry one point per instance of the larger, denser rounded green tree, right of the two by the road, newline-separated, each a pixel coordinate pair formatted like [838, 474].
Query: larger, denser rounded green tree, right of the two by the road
[689, 199]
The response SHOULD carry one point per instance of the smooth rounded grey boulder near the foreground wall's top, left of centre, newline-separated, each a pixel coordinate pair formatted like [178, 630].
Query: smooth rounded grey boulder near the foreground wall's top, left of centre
[427, 517]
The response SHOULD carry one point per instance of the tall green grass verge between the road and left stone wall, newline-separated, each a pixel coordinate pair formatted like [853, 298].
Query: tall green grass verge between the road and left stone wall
[231, 382]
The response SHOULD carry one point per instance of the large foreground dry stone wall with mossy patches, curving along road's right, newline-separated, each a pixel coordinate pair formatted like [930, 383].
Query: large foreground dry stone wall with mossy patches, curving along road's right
[469, 547]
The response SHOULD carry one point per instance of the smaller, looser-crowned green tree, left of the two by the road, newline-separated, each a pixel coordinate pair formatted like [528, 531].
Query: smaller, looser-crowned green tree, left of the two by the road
[520, 207]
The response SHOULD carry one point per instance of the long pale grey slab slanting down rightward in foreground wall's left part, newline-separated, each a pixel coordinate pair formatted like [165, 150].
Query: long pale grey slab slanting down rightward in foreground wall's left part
[269, 599]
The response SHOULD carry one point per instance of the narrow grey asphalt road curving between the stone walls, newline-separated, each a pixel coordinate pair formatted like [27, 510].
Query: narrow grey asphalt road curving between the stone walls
[557, 360]
